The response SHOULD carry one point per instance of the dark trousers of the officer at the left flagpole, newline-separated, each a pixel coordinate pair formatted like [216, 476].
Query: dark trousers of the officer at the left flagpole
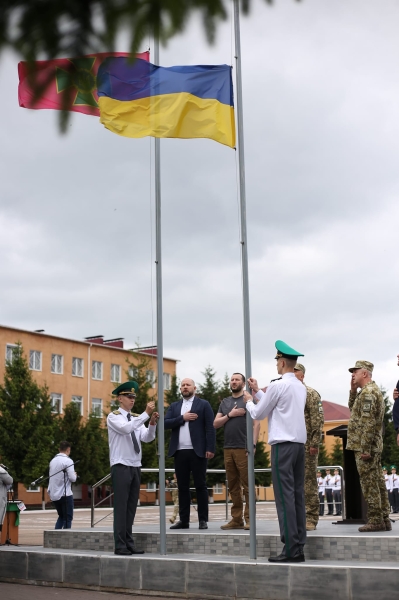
[126, 484]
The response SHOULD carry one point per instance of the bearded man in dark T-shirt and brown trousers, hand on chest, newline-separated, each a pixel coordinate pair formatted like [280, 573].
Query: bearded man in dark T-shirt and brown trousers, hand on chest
[232, 416]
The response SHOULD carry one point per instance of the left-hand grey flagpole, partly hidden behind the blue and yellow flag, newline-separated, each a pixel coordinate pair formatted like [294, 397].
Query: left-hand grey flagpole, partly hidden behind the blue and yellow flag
[158, 262]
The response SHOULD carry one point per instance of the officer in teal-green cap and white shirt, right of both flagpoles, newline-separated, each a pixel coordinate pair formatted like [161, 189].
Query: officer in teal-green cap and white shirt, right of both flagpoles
[284, 404]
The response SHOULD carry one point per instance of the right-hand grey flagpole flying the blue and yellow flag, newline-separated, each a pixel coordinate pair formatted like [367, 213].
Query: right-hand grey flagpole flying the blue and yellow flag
[245, 279]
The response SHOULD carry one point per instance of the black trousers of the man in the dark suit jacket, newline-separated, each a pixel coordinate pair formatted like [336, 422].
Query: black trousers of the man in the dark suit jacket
[187, 462]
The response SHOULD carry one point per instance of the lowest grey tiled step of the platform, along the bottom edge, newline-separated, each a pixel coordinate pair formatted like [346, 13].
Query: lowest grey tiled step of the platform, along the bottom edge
[199, 576]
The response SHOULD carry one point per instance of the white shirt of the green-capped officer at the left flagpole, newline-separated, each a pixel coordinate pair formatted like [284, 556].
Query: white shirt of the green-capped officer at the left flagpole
[121, 450]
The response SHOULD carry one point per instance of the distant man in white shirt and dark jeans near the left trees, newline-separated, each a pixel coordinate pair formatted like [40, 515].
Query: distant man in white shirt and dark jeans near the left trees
[62, 474]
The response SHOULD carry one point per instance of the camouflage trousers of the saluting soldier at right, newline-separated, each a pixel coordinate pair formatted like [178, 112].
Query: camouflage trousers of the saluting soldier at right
[373, 487]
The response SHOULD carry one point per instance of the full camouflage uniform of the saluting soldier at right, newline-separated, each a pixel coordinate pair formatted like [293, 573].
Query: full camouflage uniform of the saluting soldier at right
[365, 437]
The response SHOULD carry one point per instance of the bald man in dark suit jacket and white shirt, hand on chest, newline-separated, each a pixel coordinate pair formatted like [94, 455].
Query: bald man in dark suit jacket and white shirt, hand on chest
[192, 443]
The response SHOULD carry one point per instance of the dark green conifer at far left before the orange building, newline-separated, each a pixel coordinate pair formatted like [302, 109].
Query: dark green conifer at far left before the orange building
[27, 424]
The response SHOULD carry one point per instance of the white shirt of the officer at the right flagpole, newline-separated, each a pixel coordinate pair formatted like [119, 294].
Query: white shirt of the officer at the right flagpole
[284, 403]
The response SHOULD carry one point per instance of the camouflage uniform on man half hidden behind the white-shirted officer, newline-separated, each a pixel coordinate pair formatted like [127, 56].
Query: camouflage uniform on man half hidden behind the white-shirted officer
[314, 419]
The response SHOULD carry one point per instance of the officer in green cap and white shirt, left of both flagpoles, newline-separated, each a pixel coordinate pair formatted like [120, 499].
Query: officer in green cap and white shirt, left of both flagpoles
[125, 434]
